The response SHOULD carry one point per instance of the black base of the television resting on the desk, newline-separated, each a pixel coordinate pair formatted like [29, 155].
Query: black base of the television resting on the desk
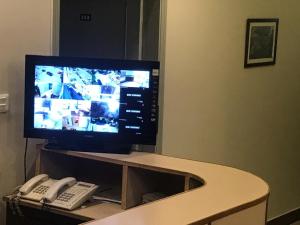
[87, 146]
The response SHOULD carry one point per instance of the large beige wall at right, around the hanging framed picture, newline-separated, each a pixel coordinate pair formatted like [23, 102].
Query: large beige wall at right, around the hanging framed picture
[217, 111]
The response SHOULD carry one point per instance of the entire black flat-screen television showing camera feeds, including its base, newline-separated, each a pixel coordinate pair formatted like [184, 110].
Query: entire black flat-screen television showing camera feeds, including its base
[91, 104]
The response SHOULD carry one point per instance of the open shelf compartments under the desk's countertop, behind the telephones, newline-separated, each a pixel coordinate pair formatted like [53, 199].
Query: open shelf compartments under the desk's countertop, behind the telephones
[118, 179]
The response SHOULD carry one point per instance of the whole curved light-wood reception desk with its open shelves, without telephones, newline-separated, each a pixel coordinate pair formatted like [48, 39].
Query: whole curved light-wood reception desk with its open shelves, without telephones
[194, 192]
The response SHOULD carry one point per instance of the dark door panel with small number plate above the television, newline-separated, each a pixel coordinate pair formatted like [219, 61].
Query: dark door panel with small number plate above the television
[93, 28]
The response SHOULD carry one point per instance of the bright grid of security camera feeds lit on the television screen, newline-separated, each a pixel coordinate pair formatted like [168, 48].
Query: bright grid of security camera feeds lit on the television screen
[82, 99]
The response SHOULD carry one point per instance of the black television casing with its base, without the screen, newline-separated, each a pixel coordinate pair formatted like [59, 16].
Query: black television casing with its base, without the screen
[87, 141]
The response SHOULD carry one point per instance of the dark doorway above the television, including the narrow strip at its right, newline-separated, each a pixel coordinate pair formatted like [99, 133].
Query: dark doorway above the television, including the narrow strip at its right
[109, 28]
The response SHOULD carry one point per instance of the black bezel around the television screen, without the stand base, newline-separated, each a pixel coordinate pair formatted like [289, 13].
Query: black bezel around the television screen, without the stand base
[68, 136]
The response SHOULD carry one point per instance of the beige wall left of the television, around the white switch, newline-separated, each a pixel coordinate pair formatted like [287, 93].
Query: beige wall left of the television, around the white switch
[25, 28]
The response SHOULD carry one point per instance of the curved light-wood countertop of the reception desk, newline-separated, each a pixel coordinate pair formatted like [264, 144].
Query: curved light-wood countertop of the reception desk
[229, 196]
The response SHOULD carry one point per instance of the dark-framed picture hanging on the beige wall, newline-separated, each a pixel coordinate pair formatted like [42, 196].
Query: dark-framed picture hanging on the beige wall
[261, 42]
